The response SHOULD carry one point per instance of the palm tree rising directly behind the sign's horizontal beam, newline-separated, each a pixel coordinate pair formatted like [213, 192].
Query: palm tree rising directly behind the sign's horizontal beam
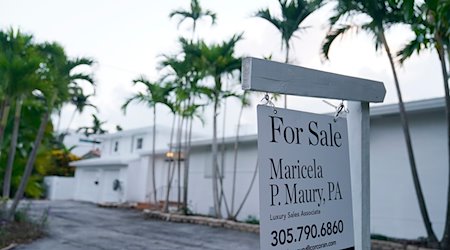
[293, 13]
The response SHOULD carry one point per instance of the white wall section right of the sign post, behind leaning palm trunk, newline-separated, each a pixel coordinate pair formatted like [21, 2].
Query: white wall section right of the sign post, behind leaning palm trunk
[394, 208]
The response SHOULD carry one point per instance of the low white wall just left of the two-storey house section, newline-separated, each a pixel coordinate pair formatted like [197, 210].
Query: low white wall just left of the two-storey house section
[60, 188]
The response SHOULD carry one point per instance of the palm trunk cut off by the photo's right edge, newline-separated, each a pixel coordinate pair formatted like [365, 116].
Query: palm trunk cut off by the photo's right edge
[445, 243]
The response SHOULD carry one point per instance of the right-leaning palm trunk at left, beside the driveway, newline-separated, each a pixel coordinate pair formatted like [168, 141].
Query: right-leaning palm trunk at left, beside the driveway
[31, 158]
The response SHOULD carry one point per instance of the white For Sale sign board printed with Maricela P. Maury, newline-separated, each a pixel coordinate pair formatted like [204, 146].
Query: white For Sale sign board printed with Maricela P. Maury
[304, 181]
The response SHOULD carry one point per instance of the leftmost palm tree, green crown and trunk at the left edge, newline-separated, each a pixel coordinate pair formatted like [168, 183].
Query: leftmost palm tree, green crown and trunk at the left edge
[18, 63]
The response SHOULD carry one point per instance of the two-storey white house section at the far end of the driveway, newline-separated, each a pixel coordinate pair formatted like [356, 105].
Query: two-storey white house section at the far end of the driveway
[121, 173]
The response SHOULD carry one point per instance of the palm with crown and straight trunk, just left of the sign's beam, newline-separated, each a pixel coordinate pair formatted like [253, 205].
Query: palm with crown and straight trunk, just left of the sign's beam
[217, 60]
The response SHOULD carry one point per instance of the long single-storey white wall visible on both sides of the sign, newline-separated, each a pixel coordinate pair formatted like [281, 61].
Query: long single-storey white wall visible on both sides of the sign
[394, 207]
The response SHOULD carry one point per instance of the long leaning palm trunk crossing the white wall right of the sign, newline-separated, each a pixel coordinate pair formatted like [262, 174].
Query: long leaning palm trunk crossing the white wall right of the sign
[405, 125]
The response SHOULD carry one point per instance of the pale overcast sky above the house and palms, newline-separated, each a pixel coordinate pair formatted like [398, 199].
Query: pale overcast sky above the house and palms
[128, 38]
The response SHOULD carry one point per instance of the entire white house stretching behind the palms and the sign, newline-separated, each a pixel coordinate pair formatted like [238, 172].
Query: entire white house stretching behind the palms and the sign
[126, 157]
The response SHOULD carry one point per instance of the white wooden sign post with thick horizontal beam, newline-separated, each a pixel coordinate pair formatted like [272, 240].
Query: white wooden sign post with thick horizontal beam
[273, 77]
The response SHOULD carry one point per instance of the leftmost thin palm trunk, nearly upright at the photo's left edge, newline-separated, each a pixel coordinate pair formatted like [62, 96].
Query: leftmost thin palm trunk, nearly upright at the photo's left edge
[12, 149]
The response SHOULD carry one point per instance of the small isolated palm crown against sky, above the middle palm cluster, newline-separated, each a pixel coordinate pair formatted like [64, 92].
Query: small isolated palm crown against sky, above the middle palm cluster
[195, 13]
